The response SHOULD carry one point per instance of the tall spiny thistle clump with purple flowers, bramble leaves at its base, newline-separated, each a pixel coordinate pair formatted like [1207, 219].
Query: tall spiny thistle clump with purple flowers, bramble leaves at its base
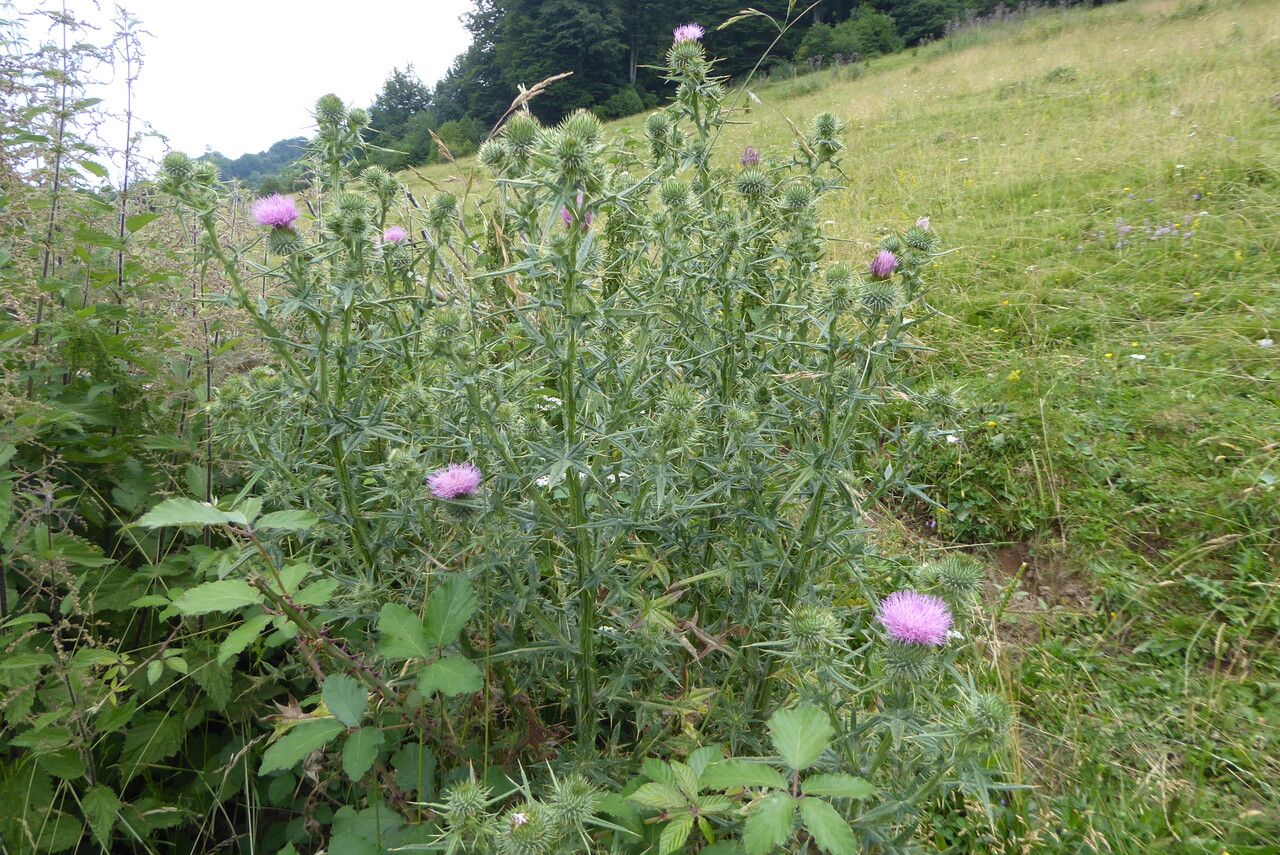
[572, 478]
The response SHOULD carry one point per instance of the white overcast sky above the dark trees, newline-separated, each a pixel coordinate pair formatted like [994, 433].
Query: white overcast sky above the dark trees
[239, 75]
